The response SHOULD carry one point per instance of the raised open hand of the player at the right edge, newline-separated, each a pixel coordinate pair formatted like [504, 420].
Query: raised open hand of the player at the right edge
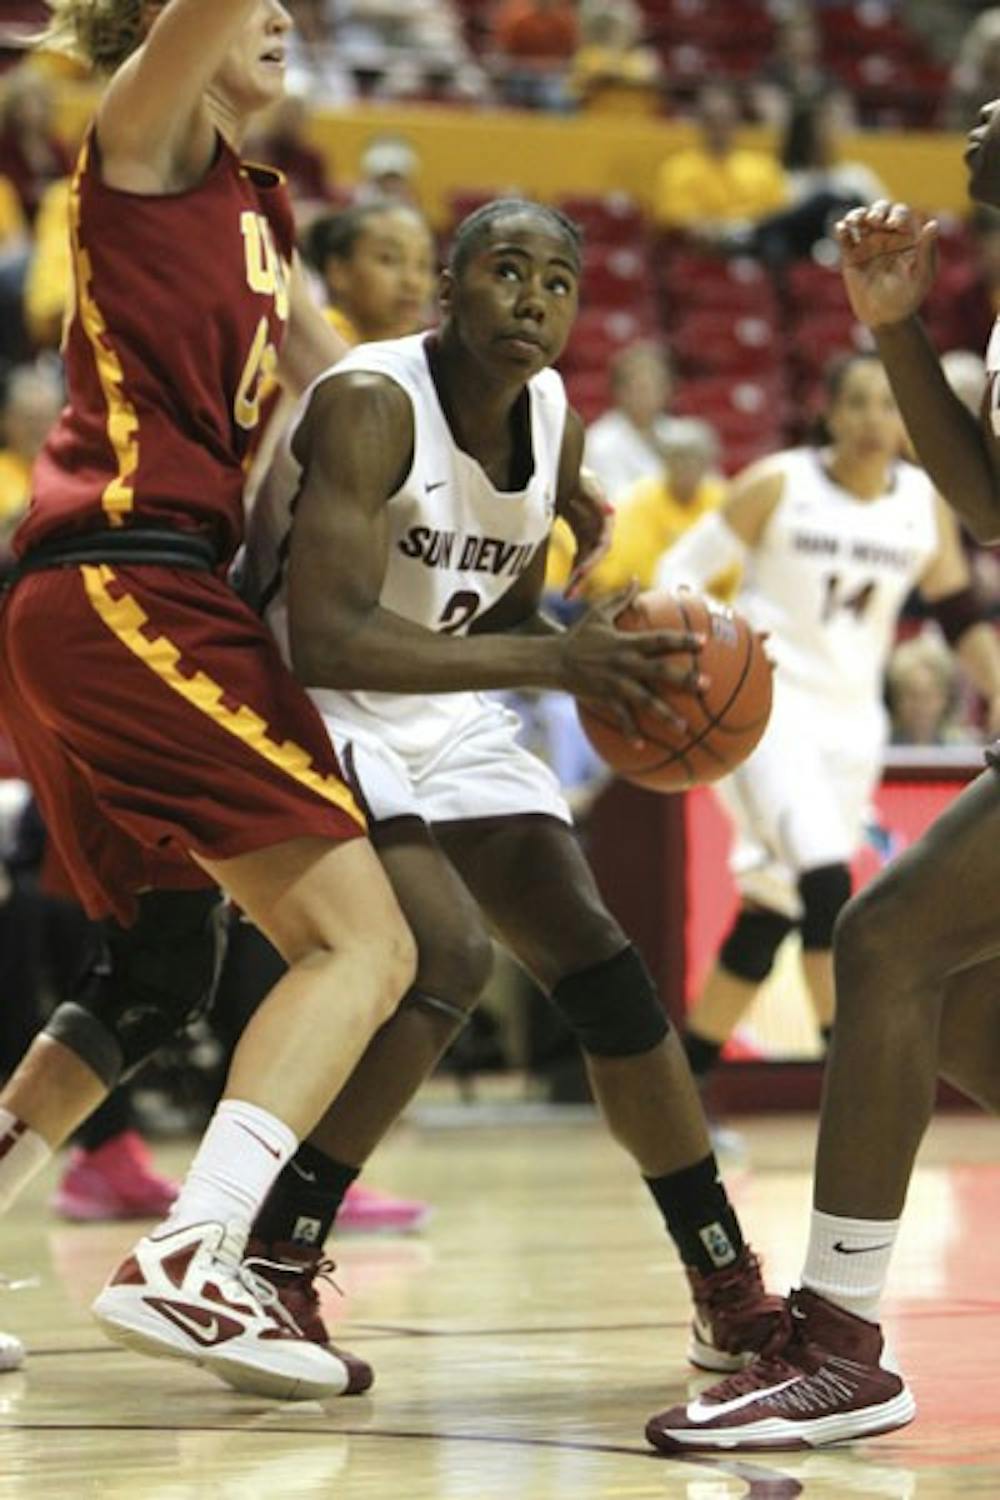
[888, 259]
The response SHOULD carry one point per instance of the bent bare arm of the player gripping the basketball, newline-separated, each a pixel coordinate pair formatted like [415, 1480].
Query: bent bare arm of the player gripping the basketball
[356, 446]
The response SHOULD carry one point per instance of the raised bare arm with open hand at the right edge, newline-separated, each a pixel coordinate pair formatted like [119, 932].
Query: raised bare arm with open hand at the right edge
[888, 262]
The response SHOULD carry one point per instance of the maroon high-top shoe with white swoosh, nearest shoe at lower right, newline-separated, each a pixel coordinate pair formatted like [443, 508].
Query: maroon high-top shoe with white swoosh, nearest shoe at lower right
[822, 1381]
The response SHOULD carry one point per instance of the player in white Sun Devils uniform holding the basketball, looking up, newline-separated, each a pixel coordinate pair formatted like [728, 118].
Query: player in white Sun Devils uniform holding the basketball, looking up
[425, 476]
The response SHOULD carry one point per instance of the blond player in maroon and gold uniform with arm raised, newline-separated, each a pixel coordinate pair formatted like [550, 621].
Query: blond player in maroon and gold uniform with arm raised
[169, 746]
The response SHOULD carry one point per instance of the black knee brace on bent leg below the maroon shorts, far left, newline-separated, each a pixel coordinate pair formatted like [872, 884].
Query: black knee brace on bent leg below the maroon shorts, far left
[146, 983]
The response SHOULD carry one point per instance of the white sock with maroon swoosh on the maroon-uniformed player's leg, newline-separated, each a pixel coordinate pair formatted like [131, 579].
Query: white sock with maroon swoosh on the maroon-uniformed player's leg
[238, 1162]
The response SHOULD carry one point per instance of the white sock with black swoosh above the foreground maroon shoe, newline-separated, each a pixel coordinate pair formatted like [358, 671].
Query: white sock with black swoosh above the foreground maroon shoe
[848, 1262]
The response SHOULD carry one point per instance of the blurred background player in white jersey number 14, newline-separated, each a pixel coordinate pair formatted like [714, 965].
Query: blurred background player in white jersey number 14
[831, 542]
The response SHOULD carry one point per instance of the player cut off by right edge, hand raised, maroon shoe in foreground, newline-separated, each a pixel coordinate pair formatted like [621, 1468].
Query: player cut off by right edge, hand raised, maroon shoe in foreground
[918, 976]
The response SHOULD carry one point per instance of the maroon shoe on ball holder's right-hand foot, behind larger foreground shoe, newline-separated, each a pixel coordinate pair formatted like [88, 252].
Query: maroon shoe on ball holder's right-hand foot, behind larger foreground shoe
[734, 1316]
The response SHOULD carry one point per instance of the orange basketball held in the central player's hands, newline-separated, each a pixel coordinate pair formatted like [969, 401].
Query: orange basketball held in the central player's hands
[725, 721]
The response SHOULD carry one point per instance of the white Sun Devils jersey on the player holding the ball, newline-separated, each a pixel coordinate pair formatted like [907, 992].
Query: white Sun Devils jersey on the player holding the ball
[457, 544]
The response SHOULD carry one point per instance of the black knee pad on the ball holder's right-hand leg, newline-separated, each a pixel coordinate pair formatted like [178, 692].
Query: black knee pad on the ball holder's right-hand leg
[614, 1007]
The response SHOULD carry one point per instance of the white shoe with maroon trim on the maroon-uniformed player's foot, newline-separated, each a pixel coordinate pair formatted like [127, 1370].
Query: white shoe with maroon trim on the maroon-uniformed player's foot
[188, 1295]
